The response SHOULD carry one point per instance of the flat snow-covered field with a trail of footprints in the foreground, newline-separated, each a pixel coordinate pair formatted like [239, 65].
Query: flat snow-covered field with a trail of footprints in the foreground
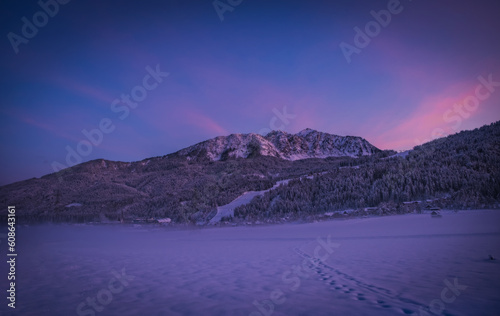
[393, 265]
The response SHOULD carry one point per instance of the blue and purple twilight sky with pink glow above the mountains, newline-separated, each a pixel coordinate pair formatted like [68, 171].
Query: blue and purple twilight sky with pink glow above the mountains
[128, 80]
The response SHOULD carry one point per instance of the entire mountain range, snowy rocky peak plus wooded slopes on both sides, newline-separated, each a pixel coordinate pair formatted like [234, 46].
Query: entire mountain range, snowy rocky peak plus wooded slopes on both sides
[461, 171]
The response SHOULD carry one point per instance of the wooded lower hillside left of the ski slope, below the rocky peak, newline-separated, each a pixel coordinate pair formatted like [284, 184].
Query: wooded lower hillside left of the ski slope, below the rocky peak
[169, 186]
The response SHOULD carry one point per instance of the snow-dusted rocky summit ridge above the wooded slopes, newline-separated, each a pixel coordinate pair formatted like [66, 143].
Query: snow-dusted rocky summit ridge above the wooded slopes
[305, 144]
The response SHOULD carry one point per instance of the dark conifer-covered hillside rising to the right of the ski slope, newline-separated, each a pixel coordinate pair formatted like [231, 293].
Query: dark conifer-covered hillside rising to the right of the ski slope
[463, 170]
